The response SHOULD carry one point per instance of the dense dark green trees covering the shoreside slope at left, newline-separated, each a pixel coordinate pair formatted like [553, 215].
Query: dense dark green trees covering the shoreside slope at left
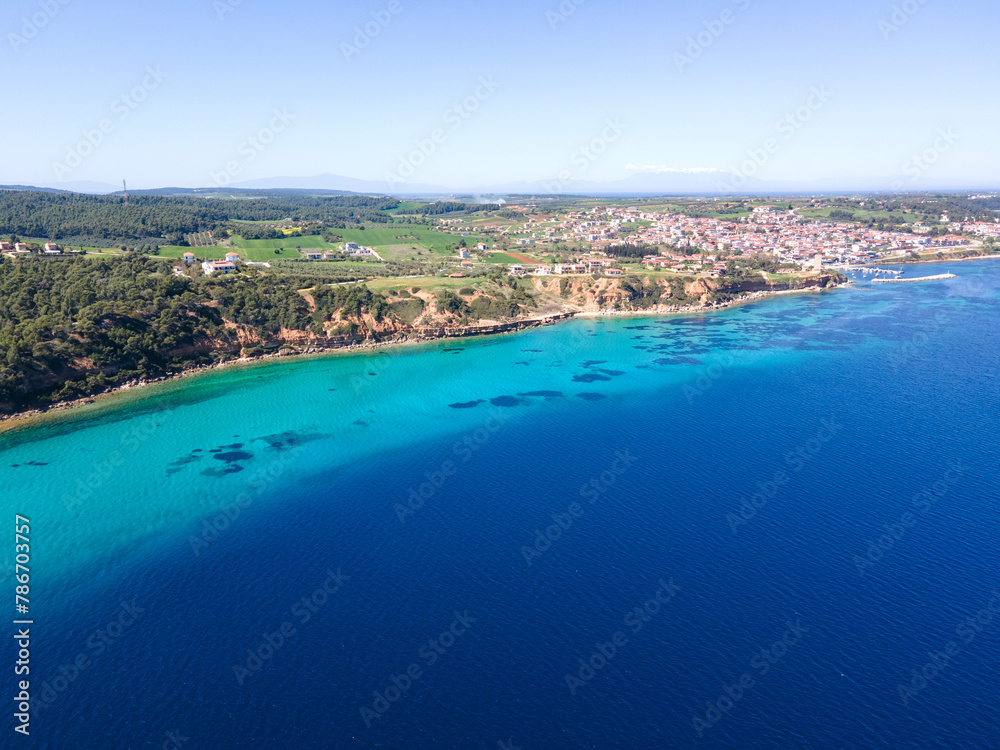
[70, 327]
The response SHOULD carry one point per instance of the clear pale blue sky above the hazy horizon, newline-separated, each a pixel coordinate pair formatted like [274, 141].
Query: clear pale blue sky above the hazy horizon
[229, 65]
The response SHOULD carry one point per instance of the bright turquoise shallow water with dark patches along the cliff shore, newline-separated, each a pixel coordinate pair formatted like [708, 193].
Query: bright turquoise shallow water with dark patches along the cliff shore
[116, 480]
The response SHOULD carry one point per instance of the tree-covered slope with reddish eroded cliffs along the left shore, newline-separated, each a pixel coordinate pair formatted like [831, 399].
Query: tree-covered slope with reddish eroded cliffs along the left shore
[79, 326]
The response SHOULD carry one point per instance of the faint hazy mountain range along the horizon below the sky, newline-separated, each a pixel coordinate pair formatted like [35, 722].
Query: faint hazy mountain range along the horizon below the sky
[707, 183]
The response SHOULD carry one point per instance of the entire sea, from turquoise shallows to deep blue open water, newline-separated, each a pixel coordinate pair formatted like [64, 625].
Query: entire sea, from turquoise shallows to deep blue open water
[765, 527]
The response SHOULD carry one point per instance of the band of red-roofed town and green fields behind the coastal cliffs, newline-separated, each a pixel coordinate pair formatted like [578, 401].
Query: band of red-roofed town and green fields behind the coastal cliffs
[447, 238]
